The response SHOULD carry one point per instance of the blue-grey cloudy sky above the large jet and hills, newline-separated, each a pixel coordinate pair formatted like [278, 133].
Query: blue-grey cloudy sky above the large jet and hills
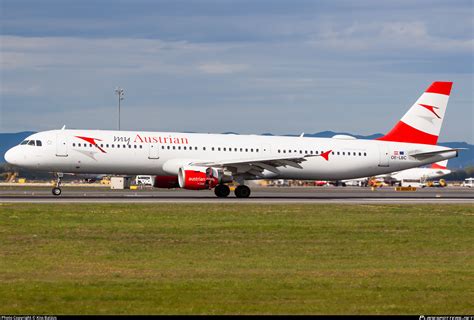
[282, 67]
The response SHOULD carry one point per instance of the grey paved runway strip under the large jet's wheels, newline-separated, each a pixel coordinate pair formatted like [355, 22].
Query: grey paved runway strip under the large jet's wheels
[337, 195]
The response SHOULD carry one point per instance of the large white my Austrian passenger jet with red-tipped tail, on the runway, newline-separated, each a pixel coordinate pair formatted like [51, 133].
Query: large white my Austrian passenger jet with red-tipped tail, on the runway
[198, 161]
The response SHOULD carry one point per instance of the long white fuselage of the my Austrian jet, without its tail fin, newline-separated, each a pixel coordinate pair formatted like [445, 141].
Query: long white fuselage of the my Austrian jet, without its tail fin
[163, 153]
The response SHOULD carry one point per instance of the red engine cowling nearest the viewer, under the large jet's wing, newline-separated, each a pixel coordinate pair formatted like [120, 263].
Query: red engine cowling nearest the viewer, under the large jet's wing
[197, 178]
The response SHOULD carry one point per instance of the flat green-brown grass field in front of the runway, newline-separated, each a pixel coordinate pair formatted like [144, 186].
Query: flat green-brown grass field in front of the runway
[236, 259]
